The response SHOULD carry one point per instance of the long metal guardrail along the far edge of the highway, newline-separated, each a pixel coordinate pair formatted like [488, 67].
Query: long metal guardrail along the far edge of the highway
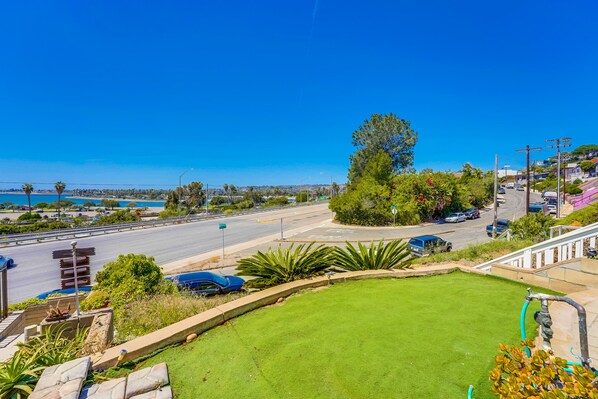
[39, 236]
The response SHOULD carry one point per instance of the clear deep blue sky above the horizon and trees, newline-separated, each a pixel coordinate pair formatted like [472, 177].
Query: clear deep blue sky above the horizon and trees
[256, 92]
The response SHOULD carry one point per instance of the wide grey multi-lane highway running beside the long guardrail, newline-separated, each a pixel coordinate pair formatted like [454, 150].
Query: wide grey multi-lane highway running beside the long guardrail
[37, 272]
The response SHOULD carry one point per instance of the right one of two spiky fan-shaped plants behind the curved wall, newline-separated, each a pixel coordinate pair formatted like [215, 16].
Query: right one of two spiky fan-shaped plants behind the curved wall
[394, 255]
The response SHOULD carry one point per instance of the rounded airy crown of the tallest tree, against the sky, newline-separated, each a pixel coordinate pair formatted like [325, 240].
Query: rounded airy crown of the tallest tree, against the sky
[387, 133]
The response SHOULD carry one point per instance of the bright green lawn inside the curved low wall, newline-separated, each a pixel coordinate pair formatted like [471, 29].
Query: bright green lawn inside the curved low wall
[426, 337]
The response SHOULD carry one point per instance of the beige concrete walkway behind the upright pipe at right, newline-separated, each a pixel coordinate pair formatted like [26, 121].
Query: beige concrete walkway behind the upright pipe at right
[566, 326]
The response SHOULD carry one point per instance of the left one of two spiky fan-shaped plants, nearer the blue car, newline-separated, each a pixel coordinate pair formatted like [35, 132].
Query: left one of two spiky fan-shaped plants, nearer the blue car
[284, 265]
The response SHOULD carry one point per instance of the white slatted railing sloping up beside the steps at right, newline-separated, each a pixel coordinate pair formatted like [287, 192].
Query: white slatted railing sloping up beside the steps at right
[564, 247]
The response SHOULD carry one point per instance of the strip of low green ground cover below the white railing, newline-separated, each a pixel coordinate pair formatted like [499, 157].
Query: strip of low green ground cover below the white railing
[475, 254]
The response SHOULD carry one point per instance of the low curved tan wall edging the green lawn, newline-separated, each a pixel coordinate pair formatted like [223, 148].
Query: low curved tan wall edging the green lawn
[204, 321]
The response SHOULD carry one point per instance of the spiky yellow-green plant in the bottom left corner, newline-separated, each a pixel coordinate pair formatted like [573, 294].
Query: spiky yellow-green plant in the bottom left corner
[18, 376]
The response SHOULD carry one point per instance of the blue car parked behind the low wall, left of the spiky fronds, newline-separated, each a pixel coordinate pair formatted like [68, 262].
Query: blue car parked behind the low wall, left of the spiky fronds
[207, 283]
